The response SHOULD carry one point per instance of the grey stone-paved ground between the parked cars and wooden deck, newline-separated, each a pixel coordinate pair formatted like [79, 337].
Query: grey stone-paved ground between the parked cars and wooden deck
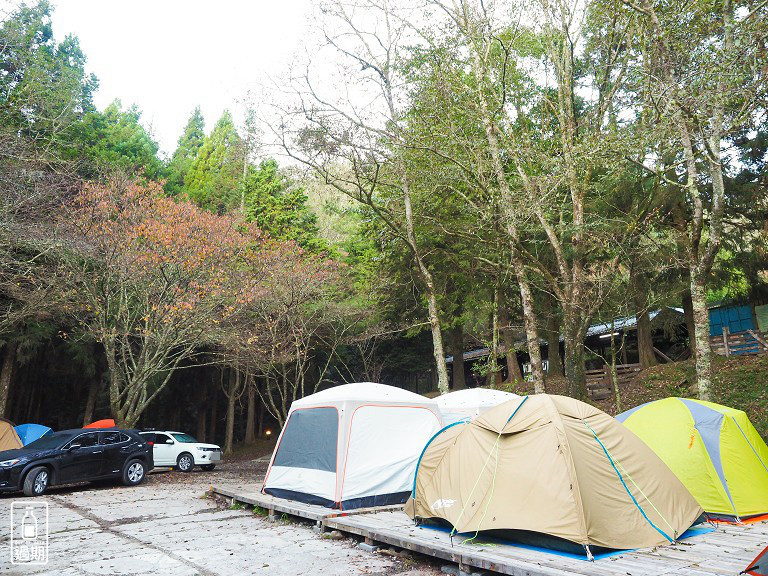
[166, 526]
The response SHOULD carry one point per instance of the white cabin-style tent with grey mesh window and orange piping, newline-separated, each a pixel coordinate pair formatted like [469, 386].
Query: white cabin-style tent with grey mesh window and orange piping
[351, 446]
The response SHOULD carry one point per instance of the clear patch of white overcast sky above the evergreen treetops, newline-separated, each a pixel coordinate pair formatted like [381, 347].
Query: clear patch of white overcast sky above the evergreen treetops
[168, 56]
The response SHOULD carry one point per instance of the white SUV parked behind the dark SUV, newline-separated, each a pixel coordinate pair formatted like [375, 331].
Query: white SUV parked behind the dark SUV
[181, 450]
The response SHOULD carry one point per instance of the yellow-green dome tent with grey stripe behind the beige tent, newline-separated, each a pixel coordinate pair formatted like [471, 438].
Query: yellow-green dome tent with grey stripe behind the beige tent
[714, 450]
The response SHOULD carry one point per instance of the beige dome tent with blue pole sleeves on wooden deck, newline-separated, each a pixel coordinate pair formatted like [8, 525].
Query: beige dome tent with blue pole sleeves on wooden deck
[556, 467]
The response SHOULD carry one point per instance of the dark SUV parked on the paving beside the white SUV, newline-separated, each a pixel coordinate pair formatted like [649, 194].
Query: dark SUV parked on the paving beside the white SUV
[77, 455]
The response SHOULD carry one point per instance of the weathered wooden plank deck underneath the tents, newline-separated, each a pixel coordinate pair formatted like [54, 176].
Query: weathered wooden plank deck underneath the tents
[726, 550]
